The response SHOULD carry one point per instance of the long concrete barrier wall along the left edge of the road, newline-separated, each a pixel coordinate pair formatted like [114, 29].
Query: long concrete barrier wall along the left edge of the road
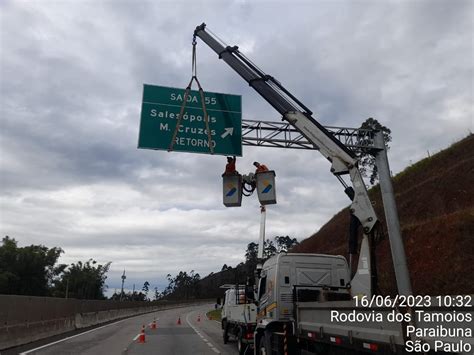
[24, 319]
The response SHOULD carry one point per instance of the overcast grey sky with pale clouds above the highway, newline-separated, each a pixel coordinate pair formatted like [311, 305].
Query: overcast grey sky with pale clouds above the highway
[72, 75]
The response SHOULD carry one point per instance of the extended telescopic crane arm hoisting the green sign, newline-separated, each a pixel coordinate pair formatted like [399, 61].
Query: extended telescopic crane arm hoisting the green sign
[300, 117]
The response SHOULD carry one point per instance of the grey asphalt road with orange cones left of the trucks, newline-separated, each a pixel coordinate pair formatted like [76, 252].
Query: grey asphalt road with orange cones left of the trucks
[195, 335]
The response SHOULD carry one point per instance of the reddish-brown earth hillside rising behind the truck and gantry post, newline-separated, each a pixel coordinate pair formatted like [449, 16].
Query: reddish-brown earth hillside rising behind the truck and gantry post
[435, 199]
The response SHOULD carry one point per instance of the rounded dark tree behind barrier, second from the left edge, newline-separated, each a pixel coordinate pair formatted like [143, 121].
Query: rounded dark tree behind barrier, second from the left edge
[83, 280]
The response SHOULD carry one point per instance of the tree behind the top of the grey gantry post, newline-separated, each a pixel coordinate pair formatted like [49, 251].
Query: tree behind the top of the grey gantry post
[367, 165]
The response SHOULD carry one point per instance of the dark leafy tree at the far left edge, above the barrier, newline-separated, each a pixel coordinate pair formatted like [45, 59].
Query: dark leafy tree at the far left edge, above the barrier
[28, 270]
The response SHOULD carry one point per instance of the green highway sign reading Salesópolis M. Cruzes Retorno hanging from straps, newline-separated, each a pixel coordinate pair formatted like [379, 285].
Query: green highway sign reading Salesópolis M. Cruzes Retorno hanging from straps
[160, 112]
